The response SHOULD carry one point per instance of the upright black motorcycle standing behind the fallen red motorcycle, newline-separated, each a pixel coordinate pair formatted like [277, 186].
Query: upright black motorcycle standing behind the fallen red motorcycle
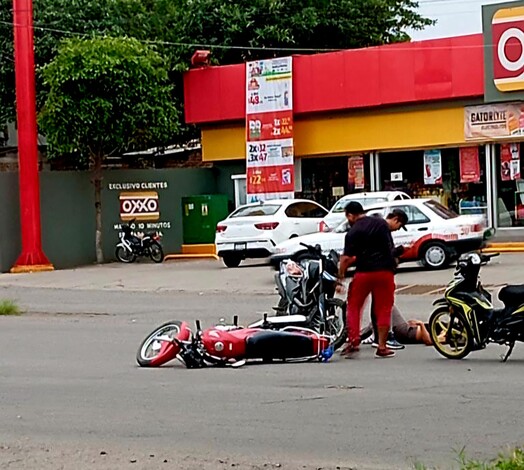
[307, 288]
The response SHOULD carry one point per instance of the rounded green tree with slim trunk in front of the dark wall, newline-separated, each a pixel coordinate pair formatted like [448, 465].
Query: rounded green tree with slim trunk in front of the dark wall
[106, 96]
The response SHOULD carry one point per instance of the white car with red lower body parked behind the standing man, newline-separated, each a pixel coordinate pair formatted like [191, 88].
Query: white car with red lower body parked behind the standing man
[434, 234]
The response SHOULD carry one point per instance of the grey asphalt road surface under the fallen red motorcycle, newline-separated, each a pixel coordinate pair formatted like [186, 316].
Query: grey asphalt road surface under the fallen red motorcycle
[71, 396]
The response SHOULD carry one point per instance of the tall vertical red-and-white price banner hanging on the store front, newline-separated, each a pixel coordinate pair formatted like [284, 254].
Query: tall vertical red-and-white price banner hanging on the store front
[269, 129]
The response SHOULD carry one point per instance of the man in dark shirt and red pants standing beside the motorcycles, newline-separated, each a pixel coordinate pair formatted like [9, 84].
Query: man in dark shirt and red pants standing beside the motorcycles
[369, 244]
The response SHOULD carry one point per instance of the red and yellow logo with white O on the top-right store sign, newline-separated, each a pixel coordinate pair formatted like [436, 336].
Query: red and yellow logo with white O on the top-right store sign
[508, 49]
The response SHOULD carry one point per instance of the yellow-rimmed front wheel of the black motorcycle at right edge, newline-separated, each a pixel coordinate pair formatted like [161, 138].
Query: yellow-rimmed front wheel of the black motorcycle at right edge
[456, 344]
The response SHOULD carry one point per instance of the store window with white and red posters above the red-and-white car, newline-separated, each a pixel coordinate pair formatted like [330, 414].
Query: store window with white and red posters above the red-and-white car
[454, 177]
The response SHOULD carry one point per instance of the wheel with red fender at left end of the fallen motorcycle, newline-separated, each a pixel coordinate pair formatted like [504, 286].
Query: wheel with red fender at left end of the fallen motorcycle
[151, 353]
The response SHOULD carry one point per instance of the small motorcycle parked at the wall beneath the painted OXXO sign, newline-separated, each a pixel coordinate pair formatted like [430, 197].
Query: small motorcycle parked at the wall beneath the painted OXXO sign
[132, 246]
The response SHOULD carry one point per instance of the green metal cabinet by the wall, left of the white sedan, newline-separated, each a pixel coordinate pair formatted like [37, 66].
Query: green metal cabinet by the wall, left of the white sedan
[200, 215]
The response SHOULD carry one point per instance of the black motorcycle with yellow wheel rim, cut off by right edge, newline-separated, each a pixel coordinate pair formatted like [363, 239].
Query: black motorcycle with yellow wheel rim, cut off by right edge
[465, 319]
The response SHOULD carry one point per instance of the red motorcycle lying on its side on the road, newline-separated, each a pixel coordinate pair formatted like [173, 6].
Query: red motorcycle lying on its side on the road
[231, 345]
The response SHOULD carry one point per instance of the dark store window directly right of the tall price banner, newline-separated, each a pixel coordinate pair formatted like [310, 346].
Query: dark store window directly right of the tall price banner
[326, 179]
